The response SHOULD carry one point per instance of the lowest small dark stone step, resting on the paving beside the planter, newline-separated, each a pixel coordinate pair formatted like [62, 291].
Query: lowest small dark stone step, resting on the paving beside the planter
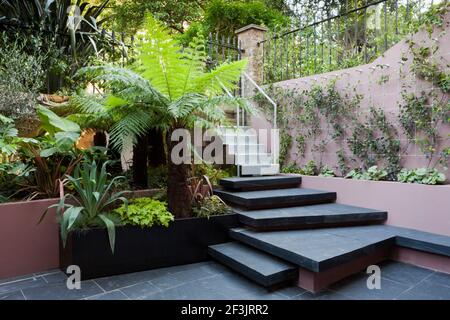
[262, 268]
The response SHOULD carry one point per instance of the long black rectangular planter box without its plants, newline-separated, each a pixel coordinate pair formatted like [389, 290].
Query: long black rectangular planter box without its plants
[184, 241]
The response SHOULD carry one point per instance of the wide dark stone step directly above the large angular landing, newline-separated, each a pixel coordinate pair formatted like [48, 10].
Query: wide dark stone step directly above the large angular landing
[319, 215]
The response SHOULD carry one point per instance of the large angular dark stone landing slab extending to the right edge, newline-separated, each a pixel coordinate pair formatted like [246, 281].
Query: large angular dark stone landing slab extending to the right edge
[322, 249]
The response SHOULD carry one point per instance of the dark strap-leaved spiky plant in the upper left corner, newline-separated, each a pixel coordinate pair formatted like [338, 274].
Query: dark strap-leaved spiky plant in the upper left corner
[66, 42]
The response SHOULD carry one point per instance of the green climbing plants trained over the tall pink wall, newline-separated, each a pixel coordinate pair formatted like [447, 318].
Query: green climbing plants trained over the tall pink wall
[313, 119]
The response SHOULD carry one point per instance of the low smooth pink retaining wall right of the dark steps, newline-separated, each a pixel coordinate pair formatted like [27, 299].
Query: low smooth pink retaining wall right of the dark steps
[415, 206]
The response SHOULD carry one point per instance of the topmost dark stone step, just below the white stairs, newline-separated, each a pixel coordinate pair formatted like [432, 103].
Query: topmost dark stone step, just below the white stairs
[261, 183]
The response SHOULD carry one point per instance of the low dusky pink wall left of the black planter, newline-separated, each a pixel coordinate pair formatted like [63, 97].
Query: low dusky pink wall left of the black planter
[26, 247]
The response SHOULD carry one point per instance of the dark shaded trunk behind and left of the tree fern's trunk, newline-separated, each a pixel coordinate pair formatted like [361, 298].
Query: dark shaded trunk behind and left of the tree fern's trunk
[140, 163]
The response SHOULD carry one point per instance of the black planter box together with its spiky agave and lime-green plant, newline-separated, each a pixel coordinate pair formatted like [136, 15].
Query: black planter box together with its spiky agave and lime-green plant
[141, 234]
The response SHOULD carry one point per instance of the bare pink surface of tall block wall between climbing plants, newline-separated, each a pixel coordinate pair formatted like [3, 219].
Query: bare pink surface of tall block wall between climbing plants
[366, 80]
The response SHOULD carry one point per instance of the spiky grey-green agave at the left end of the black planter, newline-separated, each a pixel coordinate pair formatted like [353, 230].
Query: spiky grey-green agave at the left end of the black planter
[89, 204]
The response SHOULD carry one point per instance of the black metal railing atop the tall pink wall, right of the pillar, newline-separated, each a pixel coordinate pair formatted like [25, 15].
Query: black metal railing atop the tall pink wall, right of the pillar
[340, 35]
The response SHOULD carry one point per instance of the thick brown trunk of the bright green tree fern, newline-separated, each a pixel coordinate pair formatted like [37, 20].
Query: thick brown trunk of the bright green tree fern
[178, 195]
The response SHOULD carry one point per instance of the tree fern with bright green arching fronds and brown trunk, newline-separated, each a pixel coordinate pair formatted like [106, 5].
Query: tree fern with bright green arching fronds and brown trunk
[168, 88]
